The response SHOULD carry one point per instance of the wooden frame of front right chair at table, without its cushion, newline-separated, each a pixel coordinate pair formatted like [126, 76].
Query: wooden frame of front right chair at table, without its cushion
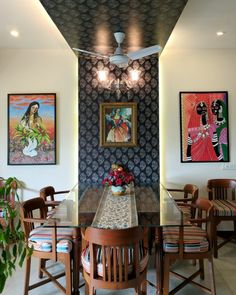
[201, 206]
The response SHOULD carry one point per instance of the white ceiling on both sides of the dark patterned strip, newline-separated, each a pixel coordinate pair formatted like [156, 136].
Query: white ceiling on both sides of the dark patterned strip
[196, 28]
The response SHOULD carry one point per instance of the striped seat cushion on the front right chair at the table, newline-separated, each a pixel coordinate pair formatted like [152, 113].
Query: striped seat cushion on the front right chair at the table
[195, 239]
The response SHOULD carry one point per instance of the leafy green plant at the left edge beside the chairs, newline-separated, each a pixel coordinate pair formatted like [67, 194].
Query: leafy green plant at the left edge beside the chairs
[12, 244]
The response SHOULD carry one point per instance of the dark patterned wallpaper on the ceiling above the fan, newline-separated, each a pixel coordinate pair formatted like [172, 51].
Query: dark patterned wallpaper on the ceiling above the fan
[90, 24]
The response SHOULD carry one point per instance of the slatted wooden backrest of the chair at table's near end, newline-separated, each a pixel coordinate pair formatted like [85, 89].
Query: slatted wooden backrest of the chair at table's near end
[118, 249]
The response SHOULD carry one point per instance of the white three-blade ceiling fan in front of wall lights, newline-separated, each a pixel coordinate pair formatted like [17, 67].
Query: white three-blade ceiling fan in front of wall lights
[119, 58]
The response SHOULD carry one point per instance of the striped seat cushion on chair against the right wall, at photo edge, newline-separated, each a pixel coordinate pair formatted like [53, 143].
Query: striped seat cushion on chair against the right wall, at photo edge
[224, 208]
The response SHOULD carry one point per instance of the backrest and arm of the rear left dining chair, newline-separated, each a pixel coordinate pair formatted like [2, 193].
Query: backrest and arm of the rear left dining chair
[49, 195]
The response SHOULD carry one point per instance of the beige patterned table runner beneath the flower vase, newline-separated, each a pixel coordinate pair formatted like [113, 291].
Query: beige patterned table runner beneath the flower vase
[116, 212]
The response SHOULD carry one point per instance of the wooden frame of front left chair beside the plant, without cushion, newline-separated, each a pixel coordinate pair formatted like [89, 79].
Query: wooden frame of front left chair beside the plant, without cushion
[28, 223]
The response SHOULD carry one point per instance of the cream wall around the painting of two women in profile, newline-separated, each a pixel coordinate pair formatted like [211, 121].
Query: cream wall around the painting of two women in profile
[193, 70]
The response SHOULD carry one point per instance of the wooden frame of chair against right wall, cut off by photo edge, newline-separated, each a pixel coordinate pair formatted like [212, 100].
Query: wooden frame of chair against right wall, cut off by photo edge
[221, 189]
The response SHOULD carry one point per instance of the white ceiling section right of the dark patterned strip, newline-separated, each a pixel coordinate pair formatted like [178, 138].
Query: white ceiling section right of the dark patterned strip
[199, 22]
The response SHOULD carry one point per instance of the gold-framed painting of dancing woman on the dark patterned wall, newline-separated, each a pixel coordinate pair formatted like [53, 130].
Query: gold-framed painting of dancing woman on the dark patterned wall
[118, 124]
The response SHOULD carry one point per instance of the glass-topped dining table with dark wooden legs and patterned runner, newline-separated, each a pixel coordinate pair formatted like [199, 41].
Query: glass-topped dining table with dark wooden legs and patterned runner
[95, 205]
